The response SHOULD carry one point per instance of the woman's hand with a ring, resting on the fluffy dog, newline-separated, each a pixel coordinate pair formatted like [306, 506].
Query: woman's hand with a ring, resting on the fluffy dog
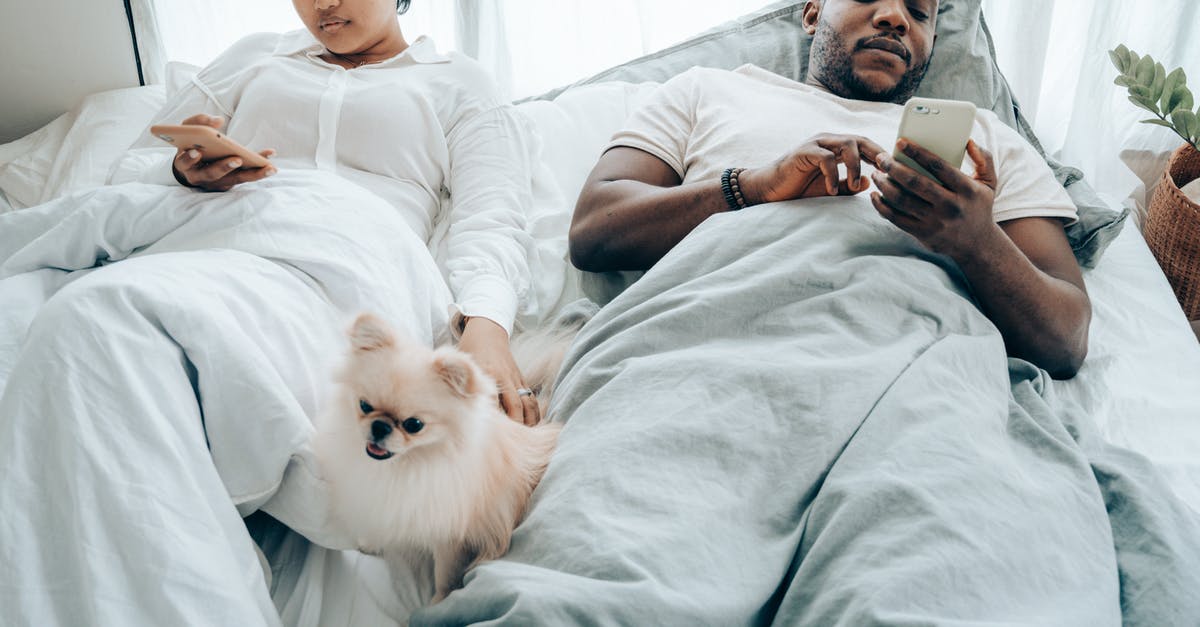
[488, 343]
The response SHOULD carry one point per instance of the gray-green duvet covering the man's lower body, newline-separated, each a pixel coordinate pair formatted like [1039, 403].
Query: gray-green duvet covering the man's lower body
[801, 417]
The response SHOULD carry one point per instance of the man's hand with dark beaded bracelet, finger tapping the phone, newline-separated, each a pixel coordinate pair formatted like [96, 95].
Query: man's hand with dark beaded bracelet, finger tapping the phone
[812, 171]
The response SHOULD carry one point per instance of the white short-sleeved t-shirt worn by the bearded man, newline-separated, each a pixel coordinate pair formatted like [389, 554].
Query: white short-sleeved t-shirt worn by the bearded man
[705, 121]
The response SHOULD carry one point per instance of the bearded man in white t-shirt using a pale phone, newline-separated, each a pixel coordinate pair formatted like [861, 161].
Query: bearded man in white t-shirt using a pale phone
[1004, 226]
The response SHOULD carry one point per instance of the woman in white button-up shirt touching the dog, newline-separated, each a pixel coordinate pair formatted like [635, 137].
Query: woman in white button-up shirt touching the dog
[365, 39]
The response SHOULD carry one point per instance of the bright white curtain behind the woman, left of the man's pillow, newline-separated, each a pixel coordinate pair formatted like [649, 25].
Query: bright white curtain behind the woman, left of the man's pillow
[530, 46]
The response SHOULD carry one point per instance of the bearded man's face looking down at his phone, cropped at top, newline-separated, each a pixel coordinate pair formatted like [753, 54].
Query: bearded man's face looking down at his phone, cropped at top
[871, 50]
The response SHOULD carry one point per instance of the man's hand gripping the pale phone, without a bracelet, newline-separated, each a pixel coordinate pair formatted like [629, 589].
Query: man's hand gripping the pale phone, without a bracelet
[952, 219]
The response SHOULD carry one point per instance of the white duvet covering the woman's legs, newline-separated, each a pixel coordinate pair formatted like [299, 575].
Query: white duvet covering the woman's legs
[167, 386]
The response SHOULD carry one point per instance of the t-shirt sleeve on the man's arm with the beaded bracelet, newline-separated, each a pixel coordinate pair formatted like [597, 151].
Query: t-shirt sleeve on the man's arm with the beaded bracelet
[663, 126]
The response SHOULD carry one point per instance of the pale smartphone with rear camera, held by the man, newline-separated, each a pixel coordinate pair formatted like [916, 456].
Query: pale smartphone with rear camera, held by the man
[941, 127]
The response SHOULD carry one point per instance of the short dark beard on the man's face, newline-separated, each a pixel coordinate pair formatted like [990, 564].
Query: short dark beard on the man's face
[832, 57]
